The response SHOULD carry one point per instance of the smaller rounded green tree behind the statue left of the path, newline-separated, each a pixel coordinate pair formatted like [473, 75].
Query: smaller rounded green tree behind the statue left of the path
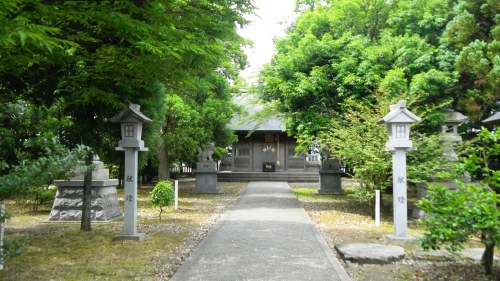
[192, 122]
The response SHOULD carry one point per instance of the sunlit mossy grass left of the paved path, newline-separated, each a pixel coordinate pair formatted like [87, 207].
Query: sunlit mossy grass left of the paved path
[60, 251]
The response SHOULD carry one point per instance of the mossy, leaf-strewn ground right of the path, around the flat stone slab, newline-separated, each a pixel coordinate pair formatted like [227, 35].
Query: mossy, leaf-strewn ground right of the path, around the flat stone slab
[343, 219]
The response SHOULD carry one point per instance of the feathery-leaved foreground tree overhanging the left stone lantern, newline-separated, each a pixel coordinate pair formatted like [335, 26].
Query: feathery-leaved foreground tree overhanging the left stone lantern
[95, 57]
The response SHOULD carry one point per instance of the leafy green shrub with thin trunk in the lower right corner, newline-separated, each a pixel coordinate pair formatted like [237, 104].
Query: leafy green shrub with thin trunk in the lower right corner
[456, 215]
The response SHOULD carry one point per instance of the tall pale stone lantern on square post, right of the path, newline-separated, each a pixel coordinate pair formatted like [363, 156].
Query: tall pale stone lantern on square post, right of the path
[398, 122]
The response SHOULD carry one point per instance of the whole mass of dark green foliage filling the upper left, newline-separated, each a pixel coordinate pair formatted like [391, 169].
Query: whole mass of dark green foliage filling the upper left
[66, 67]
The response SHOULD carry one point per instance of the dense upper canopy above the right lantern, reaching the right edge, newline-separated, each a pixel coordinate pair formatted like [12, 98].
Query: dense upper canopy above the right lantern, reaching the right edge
[434, 53]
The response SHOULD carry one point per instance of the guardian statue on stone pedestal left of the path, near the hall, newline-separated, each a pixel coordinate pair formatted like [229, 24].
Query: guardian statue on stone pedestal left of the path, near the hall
[206, 171]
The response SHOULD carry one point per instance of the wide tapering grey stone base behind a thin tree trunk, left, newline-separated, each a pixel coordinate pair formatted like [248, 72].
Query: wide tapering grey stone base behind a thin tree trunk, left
[104, 202]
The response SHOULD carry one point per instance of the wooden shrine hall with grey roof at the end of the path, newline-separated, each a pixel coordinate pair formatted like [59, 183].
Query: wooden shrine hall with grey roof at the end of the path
[264, 151]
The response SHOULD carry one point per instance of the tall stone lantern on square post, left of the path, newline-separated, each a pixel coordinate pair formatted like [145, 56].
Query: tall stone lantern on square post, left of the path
[131, 121]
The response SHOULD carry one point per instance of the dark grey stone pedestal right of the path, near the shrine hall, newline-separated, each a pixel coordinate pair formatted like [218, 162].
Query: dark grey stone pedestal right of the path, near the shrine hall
[330, 178]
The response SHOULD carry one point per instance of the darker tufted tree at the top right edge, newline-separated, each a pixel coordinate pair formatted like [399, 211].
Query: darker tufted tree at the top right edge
[473, 34]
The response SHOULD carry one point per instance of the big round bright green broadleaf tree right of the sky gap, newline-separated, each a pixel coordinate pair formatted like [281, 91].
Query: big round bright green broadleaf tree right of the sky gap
[354, 49]
